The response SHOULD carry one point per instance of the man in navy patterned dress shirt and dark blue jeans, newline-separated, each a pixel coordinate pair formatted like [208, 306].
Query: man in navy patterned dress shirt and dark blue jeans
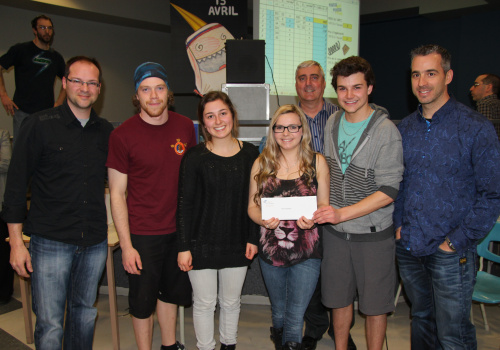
[448, 200]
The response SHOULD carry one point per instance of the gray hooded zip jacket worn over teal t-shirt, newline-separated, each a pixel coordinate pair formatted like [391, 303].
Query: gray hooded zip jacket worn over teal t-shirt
[376, 165]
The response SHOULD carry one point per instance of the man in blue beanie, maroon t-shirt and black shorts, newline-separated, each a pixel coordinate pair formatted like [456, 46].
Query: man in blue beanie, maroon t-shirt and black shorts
[145, 153]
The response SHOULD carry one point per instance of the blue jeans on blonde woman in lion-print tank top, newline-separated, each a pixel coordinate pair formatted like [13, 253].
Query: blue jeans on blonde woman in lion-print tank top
[290, 290]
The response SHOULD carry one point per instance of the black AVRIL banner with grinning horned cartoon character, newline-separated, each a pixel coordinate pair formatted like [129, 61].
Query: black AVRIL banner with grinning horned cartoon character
[201, 28]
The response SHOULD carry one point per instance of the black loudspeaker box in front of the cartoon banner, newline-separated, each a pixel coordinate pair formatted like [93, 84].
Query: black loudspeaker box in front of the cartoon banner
[245, 61]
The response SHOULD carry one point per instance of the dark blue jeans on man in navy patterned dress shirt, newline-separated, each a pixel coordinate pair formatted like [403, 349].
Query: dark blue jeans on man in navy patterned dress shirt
[440, 288]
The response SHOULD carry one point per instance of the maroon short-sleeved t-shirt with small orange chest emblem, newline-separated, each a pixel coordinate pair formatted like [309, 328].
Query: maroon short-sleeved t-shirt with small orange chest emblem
[151, 155]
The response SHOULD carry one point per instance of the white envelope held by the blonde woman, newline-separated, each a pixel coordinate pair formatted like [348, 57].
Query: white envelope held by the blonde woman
[288, 208]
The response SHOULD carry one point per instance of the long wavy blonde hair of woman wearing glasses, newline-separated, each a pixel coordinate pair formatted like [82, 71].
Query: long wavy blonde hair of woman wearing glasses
[269, 158]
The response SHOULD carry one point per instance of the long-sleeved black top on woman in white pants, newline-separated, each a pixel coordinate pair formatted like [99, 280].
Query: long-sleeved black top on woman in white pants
[212, 219]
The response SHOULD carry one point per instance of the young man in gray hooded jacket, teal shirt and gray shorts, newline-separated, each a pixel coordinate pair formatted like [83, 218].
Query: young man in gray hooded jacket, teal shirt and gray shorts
[365, 156]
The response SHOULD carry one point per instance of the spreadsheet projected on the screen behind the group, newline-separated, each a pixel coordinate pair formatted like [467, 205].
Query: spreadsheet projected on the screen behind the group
[325, 31]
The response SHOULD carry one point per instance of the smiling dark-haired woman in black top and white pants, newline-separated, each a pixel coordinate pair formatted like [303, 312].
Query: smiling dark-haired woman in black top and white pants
[216, 238]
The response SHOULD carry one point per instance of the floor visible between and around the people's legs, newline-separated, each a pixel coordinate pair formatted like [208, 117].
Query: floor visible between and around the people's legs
[254, 328]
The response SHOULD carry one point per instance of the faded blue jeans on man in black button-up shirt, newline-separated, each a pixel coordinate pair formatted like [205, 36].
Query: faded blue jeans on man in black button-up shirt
[65, 277]
